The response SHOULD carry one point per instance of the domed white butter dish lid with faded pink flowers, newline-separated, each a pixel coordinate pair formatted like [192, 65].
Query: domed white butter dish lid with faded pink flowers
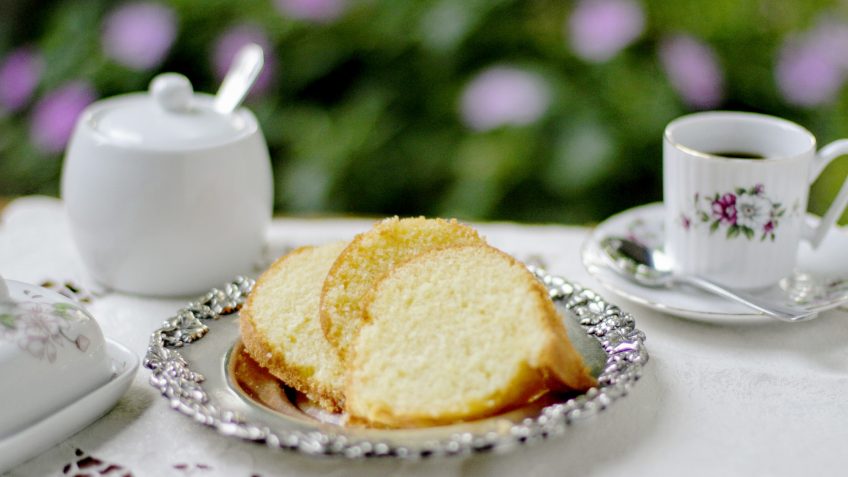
[51, 348]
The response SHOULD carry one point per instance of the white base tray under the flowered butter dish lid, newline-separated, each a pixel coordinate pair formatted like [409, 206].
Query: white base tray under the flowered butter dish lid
[60, 425]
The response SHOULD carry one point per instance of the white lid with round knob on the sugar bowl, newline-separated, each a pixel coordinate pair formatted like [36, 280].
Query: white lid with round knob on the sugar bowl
[169, 116]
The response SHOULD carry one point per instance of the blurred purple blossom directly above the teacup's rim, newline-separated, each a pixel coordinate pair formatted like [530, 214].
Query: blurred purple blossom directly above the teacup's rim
[693, 70]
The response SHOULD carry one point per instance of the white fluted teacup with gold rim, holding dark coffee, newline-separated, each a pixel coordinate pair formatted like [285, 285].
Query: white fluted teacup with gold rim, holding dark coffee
[735, 191]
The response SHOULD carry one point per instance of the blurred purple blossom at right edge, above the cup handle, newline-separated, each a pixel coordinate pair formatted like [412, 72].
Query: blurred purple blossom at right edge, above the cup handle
[808, 72]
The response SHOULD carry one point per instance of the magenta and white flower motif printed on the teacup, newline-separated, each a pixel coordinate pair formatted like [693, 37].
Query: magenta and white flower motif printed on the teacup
[743, 213]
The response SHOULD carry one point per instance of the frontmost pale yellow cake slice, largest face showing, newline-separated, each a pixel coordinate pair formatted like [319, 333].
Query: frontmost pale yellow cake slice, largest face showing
[456, 334]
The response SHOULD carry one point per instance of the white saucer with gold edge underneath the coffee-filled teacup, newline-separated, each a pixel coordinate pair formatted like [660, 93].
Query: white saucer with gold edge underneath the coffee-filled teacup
[819, 283]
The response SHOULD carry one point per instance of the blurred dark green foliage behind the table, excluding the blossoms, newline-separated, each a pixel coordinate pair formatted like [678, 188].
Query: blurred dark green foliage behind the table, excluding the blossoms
[362, 117]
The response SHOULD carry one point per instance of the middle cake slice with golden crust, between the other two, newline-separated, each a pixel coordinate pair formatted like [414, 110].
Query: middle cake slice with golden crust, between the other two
[370, 256]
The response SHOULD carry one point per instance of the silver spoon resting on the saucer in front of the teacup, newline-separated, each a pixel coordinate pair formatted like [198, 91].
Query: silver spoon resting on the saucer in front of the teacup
[652, 268]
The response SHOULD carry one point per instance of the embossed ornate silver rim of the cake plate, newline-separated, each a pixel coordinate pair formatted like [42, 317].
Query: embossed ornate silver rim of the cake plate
[614, 330]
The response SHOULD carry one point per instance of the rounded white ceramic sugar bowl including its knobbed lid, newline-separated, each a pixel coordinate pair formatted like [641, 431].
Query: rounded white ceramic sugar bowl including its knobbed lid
[165, 195]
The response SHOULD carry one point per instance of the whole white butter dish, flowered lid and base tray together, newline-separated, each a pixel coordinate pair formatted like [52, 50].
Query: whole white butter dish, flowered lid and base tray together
[59, 372]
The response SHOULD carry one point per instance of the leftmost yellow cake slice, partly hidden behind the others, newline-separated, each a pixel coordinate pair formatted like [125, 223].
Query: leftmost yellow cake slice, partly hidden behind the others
[280, 327]
